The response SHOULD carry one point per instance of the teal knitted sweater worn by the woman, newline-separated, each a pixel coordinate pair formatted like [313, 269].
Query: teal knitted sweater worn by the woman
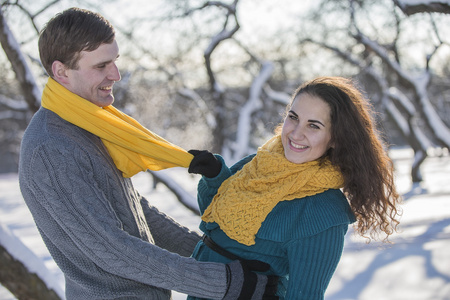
[301, 239]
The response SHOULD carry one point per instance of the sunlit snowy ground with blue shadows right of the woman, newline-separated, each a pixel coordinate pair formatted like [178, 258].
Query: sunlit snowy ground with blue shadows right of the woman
[417, 265]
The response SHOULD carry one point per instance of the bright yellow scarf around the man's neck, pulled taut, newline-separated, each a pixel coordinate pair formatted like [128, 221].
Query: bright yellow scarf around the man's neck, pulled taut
[132, 147]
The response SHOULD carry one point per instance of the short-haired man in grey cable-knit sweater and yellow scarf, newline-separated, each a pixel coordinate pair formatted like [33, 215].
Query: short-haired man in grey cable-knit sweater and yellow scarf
[77, 155]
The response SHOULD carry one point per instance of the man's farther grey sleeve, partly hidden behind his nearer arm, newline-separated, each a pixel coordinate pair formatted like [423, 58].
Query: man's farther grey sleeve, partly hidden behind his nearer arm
[168, 233]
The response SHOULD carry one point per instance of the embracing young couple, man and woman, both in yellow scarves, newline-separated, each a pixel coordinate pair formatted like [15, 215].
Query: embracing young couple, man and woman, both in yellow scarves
[274, 223]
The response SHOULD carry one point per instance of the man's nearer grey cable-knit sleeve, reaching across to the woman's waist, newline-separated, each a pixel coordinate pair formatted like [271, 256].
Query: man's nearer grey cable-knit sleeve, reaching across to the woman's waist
[90, 235]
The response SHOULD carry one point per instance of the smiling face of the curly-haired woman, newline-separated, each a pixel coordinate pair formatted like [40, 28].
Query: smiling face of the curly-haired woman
[306, 132]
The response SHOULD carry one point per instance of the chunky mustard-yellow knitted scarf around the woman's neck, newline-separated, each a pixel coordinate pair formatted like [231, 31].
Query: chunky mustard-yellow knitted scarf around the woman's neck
[244, 200]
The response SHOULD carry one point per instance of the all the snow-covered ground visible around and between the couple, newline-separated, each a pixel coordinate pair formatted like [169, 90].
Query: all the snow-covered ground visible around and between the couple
[415, 267]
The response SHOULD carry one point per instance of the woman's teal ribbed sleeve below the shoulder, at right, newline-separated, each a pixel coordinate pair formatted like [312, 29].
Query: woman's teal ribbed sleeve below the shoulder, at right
[312, 262]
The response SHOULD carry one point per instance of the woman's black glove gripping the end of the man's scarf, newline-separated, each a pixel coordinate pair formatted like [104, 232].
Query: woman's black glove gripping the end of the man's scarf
[204, 163]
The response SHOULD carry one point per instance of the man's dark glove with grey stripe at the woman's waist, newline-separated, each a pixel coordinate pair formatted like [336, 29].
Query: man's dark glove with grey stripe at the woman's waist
[243, 284]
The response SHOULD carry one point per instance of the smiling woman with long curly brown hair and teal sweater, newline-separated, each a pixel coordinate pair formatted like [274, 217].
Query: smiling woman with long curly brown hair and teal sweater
[290, 204]
